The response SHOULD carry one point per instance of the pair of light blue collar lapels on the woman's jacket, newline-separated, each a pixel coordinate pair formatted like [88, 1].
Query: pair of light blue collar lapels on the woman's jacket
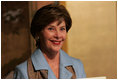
[40, 63]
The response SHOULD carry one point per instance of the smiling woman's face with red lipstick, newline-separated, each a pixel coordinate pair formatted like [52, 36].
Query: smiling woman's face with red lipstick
[53, 36]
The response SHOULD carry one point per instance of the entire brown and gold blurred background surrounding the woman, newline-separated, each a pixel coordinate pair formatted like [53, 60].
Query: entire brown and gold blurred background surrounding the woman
[92, 38]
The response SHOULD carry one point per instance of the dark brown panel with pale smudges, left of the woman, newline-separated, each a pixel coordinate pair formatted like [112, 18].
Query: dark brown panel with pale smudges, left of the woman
[15, 42]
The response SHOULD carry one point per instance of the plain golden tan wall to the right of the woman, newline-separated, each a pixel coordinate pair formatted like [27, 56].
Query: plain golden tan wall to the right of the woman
[92, 37]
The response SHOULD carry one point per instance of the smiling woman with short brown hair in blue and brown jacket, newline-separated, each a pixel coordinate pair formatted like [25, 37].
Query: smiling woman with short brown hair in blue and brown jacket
[49, 28]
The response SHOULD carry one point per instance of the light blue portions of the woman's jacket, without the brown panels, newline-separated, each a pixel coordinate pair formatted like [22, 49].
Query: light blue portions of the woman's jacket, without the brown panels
[40, 62]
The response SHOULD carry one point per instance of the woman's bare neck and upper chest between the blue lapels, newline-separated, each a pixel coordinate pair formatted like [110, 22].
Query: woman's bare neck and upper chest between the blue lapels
[53, 59]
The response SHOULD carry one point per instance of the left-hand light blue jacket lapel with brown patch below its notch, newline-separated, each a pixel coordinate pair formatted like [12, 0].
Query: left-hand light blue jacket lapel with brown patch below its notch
[40, 64]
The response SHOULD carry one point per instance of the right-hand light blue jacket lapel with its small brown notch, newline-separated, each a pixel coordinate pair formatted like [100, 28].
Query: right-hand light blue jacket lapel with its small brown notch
[65, 69]
